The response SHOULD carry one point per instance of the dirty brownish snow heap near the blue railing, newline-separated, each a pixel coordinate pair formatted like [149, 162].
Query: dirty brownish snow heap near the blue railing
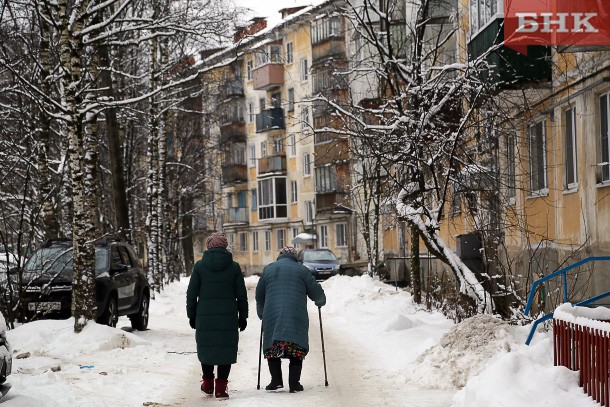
[462, 352]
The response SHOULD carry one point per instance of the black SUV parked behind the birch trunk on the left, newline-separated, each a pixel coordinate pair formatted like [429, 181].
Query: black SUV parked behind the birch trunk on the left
[121, 284]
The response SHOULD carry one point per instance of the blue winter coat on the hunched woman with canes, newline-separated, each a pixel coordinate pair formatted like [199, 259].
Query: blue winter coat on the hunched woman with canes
[281, 301]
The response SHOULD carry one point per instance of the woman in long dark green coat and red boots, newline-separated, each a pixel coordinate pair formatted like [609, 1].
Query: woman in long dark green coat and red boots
[217, 306]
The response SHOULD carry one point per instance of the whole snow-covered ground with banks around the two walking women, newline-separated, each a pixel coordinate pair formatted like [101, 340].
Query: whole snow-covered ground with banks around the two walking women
[379, 348]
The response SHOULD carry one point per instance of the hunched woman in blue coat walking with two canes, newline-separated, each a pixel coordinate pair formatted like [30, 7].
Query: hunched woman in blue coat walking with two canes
[281, 302]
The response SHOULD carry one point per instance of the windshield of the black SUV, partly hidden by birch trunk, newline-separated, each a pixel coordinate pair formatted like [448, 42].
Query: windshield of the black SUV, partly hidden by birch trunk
[57, 260]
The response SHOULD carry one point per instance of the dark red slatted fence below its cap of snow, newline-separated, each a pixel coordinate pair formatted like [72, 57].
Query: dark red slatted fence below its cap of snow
[586, 350]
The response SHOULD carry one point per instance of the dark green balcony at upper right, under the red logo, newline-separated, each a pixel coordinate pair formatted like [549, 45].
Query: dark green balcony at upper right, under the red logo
[507, 67]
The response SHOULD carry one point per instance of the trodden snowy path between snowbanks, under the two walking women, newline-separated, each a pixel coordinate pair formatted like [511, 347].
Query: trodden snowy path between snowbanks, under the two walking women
[354, 380]
